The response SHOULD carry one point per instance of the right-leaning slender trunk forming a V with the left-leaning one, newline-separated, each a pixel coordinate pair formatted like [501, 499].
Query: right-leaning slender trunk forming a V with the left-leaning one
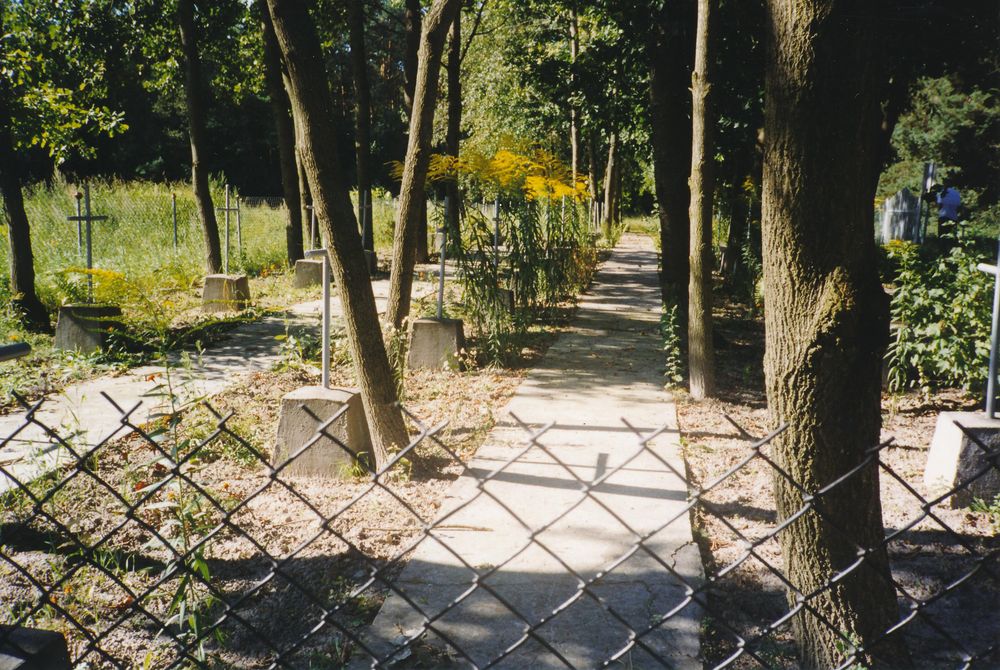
[412, 198]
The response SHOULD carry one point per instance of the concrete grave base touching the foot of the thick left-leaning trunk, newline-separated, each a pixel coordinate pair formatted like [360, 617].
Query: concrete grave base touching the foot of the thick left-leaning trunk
[296, 427]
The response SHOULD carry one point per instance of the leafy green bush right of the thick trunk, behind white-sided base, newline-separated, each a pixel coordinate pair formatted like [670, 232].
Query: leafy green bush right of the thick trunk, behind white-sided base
[941, 315]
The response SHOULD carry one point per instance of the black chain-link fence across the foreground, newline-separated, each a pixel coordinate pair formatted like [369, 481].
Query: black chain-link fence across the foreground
[175, 542]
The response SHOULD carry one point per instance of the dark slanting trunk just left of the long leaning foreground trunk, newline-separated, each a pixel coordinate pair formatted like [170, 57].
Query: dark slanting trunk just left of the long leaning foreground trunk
[285, 129]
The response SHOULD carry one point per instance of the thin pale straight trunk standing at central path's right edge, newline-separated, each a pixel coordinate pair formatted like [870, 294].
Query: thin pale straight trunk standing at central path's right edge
[701, 356]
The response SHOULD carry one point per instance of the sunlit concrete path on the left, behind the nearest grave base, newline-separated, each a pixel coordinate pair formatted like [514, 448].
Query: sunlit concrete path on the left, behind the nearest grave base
[82, 414]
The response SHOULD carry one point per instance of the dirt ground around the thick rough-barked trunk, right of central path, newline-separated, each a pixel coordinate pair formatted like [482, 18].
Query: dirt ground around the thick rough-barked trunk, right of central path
[926, 558]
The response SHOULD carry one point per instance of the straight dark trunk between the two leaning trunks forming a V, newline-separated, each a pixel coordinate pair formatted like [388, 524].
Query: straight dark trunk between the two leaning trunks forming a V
[362, 108]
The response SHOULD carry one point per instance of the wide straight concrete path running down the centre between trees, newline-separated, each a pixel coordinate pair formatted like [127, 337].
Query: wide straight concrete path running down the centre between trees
[608, 367]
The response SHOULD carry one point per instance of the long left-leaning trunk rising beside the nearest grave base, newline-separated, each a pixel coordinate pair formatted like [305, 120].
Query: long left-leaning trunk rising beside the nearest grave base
[314, 110]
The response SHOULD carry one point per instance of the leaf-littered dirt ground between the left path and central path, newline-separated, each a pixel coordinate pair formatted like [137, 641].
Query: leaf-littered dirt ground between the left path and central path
[280, 552]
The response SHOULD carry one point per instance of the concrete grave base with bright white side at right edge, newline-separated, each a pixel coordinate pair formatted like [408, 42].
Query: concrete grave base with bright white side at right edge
[954, 458]
